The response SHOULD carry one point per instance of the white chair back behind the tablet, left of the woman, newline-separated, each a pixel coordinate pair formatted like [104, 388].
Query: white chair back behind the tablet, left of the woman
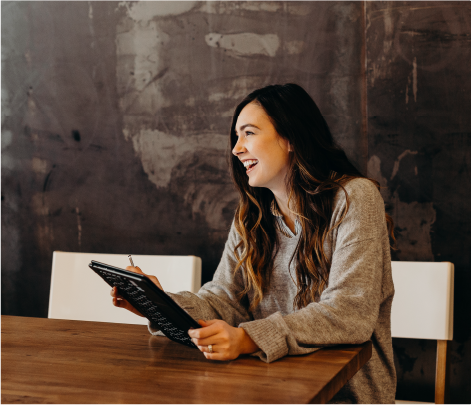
[78, 293]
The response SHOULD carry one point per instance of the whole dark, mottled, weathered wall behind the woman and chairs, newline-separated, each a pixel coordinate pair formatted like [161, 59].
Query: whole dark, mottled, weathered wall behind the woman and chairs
[114, 121]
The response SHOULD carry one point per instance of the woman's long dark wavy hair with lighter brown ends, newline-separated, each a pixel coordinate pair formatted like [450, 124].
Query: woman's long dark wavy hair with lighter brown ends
[318, 169]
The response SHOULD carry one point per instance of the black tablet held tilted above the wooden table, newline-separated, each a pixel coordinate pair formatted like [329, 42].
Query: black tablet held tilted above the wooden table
[150, 301]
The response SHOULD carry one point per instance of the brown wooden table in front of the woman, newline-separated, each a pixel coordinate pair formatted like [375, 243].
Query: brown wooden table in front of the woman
[49, 361]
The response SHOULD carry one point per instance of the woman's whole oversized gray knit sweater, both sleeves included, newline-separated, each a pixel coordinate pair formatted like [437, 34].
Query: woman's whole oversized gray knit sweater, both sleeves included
[355, 306]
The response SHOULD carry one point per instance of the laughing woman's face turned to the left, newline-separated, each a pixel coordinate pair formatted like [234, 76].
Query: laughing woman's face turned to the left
[263, 152]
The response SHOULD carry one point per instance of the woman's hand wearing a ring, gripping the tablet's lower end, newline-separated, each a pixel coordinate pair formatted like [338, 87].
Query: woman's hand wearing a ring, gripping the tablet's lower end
[227, 342]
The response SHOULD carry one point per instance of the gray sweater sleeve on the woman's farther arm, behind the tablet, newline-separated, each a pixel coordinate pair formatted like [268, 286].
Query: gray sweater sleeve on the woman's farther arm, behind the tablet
[217, 299]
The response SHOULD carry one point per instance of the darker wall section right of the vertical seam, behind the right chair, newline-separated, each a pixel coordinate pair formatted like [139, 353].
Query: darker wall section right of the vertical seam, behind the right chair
[419, 148]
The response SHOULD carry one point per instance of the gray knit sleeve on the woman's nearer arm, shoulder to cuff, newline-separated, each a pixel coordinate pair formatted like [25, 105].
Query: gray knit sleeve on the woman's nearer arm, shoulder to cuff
[348, 308]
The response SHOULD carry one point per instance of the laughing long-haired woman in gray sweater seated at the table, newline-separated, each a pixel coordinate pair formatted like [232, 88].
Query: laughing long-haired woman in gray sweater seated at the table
[307, 262]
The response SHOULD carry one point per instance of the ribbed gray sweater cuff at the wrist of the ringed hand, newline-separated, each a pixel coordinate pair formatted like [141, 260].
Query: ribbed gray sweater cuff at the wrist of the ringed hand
[268, 338]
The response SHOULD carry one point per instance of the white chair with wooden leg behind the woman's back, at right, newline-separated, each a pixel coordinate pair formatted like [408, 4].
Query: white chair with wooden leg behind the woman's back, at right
[423, 309]
